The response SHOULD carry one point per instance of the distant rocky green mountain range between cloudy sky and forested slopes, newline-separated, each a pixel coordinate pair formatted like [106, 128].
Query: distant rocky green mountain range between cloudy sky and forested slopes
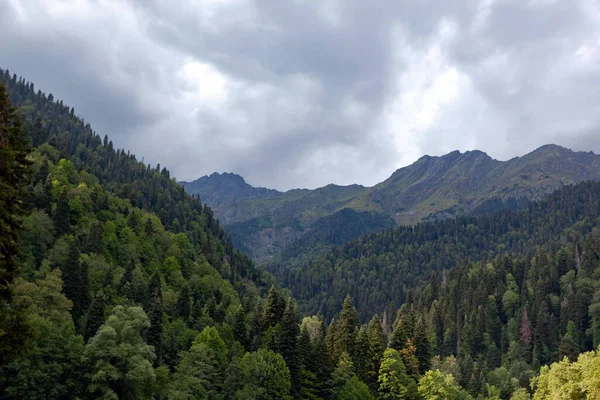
[264, 222]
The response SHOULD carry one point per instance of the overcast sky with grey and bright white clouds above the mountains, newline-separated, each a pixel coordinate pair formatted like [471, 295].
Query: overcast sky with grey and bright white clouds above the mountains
[302, 93]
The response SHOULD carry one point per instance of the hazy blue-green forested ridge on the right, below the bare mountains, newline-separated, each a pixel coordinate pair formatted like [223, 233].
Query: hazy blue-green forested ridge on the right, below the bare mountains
[380, 269]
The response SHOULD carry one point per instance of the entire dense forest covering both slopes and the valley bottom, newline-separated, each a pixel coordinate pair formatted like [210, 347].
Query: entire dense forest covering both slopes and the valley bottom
[117, 284]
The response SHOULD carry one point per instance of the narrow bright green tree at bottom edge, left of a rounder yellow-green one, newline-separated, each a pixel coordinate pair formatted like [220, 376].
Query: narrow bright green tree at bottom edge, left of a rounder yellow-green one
[394, 382]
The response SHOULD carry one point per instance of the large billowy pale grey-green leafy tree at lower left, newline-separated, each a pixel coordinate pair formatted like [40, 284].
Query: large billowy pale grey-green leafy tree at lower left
[119, 360]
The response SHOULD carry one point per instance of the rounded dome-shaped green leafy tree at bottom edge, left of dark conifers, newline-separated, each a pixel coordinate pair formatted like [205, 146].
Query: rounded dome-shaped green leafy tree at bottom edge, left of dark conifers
[263, 376]
